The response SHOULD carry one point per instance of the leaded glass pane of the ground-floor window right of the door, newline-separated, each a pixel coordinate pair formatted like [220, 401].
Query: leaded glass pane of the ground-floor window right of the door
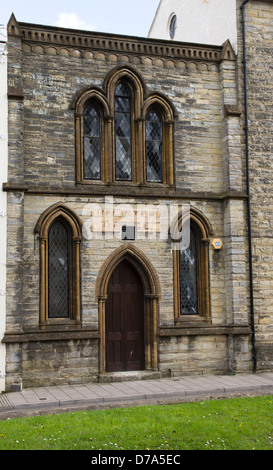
[188, 278]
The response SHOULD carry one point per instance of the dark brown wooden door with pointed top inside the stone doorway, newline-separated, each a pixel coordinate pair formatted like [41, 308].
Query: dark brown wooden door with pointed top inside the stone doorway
[124, 320]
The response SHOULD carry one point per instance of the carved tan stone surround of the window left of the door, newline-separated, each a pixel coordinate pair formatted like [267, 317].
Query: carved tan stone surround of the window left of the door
[72, 222]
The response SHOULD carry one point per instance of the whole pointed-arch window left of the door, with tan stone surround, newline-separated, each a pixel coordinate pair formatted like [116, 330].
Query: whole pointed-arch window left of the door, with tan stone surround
[59, 230]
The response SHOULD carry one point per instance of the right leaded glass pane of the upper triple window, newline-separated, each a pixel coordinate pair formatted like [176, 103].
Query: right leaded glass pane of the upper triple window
[153, 146]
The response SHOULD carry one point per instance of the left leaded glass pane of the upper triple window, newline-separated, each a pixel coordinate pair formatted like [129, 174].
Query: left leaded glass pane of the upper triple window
[91, 143]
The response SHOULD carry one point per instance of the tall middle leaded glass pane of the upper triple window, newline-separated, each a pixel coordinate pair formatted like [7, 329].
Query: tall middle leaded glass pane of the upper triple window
[123, 132]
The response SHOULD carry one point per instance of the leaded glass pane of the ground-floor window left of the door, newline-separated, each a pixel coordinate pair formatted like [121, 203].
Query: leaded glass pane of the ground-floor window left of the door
[58, 272]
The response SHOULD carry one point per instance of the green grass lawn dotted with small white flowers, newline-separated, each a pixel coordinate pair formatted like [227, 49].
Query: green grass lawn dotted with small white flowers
[232, 424]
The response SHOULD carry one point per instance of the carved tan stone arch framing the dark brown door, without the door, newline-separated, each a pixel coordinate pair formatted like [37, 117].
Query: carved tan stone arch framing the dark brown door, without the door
[152, 295]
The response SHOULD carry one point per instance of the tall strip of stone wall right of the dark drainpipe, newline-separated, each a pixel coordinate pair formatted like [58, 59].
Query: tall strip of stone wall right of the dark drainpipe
[258, 23]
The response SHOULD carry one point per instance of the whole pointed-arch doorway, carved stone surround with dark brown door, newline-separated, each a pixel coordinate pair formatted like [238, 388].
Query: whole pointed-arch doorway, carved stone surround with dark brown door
[144, 283]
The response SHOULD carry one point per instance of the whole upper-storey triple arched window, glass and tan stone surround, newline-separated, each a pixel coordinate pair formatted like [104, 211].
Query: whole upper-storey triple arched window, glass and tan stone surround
[124, 134]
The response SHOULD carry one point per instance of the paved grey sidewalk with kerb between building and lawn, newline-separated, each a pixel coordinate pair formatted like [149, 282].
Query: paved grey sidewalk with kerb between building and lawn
[59, 399]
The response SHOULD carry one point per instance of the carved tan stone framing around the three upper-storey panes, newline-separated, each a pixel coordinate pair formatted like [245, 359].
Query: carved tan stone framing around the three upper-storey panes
[108, 155]
